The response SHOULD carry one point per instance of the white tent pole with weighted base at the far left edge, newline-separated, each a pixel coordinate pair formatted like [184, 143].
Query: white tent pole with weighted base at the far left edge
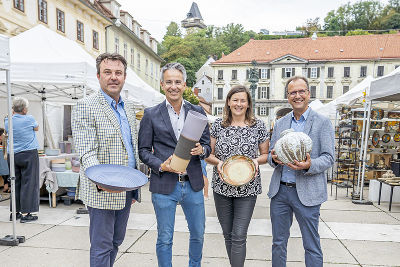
[11, 240]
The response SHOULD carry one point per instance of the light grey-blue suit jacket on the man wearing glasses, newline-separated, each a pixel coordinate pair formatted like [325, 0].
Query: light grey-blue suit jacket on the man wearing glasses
[311, 184]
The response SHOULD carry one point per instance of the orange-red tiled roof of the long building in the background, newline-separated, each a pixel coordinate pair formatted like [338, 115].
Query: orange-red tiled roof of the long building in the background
[323, 48]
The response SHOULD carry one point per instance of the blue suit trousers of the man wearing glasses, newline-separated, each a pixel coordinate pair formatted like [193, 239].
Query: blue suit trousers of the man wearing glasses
[283, 204]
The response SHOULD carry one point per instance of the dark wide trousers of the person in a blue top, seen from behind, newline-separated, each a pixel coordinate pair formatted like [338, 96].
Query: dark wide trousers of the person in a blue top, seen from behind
[26, 181]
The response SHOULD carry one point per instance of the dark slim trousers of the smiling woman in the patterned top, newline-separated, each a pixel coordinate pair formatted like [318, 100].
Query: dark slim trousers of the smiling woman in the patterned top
[234, 215]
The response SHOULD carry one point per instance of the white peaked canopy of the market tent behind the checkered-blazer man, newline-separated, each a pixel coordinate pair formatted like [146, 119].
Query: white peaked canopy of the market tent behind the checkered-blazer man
[42, 60]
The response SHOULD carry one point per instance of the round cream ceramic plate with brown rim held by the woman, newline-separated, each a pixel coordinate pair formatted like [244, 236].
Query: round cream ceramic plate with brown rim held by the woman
[238, 170]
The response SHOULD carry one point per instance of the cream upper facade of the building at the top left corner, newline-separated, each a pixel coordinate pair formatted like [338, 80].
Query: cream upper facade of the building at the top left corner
[14, 21]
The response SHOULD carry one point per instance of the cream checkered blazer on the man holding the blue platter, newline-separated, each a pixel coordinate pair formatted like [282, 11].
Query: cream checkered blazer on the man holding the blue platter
[98, 139]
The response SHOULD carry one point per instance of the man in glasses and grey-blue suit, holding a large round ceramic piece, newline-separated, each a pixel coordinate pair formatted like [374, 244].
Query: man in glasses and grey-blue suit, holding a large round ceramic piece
[300, 188]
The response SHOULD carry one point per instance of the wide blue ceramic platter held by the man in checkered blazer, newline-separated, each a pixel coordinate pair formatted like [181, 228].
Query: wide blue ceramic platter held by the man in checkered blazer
[116, 177]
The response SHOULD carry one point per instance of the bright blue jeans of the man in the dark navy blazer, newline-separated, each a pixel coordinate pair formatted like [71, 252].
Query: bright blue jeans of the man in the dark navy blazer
[165, 207]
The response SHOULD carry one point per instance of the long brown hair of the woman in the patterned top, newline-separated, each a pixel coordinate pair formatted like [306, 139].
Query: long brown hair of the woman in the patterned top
[249, 116]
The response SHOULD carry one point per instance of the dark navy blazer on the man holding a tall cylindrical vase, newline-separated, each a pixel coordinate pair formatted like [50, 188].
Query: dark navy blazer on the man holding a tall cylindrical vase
[157, 142]
